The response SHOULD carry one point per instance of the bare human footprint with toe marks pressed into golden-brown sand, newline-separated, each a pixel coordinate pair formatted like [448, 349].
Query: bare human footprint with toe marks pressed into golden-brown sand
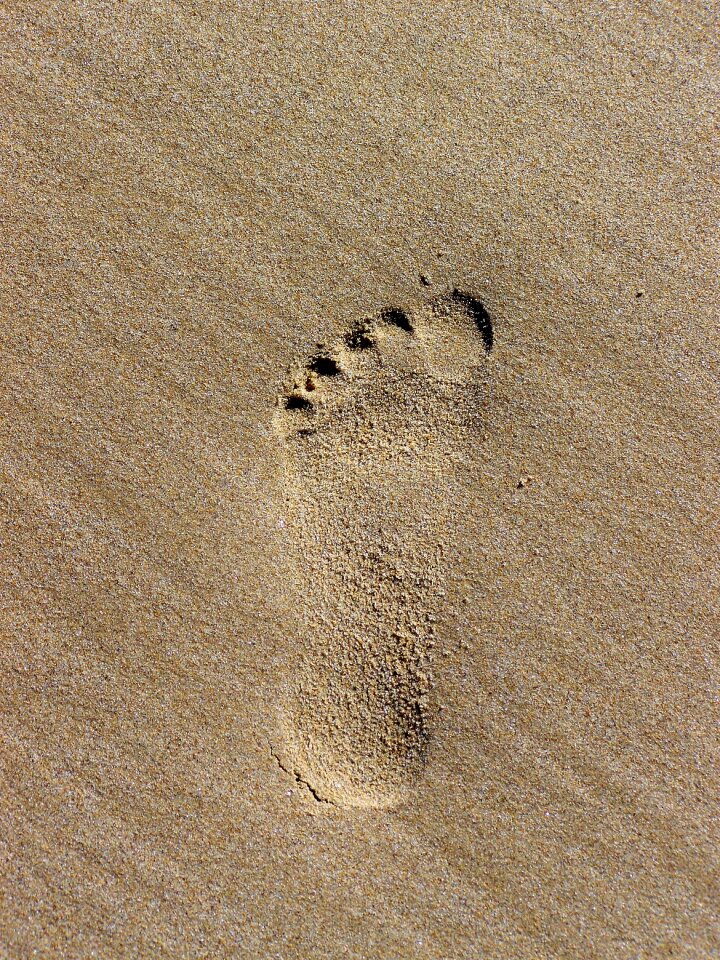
[373, 428]
